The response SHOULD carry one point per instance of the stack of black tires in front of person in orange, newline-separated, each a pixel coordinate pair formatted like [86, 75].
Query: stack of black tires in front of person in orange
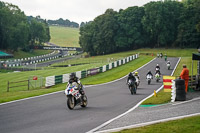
[180, 90]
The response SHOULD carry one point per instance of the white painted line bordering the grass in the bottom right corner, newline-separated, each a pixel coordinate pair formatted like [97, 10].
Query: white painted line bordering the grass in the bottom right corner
[147, 123]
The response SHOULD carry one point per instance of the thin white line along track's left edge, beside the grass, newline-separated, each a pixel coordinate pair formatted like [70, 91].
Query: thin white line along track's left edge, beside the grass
[63, 90]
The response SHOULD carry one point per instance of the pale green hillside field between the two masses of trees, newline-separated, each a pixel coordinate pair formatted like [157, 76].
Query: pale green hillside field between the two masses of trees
[64, 36]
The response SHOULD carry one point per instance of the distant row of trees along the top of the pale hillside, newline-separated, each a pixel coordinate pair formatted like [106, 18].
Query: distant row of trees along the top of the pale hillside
[61, 22]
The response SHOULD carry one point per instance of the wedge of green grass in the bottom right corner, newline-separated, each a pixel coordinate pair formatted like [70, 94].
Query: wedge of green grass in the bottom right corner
[186, 125]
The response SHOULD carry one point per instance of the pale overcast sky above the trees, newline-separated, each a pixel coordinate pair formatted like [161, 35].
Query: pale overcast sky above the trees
[73, 10]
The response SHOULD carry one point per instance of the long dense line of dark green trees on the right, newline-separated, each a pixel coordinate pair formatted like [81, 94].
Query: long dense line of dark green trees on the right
[165, 24]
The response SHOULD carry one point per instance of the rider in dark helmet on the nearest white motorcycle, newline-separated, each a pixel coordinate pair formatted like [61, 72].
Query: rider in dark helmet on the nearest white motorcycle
[73, 78]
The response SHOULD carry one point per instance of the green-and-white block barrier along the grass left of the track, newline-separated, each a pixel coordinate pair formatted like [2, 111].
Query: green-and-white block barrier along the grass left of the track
[52, 80]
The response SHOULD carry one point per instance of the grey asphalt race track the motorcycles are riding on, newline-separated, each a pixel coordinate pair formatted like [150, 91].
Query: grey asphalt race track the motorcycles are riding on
[49, 114]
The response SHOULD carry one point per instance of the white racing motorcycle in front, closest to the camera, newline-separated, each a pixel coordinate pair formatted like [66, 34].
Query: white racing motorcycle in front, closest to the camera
[74, 97]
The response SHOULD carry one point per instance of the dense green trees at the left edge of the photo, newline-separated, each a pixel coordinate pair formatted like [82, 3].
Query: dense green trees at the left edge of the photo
[19, 31]
